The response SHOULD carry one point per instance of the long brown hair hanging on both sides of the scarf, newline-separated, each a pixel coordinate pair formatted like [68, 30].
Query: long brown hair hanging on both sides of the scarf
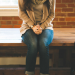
[27, 4]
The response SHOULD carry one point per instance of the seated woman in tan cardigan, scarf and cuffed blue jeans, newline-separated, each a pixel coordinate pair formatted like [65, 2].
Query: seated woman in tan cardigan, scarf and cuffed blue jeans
[37, 32]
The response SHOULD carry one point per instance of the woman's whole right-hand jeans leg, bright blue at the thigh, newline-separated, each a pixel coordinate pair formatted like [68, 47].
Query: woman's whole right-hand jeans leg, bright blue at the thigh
[44, 40]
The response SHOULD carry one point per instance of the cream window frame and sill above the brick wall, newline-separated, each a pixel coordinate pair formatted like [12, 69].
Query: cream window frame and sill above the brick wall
[9, 10]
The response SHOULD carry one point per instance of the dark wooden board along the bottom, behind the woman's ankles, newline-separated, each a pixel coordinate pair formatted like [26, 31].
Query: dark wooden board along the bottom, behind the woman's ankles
[21, 71]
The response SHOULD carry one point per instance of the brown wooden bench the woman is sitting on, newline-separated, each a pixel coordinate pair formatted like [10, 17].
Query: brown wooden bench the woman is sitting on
[11, 44]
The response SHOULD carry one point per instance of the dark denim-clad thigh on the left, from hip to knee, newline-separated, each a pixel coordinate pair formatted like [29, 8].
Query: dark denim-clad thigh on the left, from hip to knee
[29, 37]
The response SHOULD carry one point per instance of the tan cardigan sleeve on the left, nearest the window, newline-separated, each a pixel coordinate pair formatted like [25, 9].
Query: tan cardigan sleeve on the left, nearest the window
[23, 15]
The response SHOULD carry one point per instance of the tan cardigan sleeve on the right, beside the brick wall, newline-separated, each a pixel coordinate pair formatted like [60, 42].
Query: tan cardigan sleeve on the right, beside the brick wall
[51, 15]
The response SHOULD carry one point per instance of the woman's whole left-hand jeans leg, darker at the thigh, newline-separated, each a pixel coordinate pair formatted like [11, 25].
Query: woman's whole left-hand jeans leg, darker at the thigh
[30, 39]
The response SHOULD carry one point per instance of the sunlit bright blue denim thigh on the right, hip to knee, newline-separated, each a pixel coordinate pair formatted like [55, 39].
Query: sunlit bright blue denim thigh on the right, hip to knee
[46, 37]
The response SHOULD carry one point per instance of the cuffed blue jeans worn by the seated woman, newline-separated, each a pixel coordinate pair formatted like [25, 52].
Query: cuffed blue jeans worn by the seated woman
[37, 43]
